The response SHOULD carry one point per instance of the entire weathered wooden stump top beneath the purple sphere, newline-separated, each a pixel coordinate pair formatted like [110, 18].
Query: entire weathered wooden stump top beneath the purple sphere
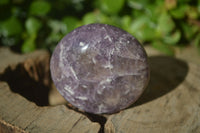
[171, 102]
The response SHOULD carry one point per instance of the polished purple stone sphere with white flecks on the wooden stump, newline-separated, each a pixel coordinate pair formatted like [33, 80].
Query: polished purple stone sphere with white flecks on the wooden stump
[99, 68]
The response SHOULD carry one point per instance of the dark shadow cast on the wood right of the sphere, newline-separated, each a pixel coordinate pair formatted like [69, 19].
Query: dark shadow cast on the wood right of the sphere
[166, 73]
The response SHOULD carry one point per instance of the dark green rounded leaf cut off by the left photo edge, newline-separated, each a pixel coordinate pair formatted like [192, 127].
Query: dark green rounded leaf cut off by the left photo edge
[11, 27]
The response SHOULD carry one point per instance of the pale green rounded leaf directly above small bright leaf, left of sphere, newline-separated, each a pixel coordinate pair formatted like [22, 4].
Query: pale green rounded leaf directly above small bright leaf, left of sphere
[32, 25]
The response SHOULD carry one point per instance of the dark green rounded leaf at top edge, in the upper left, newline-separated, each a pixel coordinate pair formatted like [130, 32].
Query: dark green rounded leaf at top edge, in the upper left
[39, 8]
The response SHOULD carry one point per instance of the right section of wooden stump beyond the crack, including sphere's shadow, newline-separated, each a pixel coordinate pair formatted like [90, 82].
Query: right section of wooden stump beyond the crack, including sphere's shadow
[170, 104]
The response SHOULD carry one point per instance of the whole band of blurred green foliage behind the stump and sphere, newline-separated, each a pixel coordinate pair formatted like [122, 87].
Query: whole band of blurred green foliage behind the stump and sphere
[26, 25]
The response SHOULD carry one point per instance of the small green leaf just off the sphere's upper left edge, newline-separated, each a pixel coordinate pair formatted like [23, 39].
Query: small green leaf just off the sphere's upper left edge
[70, 22]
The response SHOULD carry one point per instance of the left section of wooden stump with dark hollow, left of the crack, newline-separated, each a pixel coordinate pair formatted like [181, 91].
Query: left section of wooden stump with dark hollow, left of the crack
[25, 78]
